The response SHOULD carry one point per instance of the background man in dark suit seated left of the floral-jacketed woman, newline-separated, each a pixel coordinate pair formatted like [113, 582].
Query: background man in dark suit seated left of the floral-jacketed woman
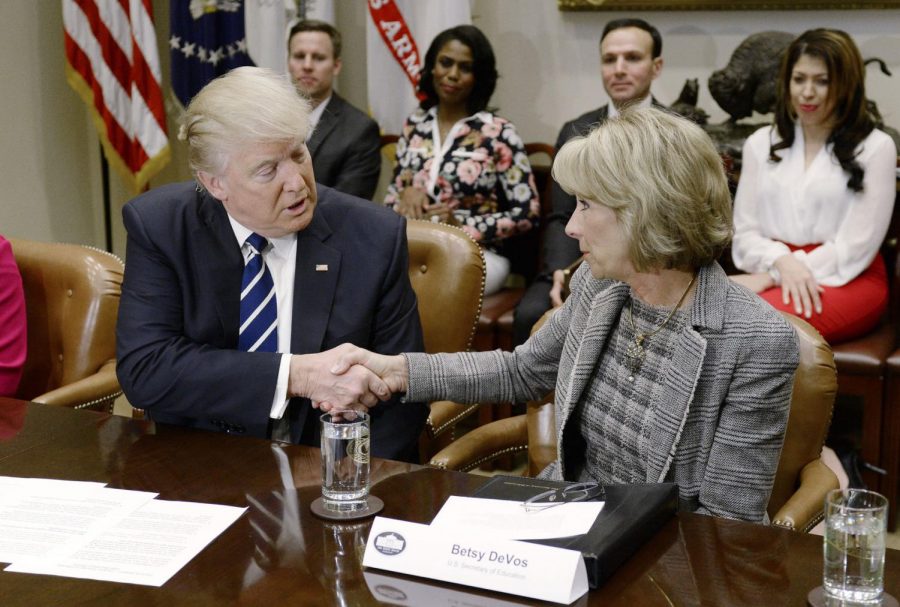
[344, 142]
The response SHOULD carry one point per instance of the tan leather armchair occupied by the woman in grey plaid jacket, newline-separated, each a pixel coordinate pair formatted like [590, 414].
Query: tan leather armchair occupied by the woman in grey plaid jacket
[802, 479]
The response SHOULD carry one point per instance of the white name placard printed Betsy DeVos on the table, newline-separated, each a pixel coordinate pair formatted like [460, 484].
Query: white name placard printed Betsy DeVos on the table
[521, 568]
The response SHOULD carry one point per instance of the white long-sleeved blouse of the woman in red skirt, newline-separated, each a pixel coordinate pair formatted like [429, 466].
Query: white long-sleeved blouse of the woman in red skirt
[786, 202]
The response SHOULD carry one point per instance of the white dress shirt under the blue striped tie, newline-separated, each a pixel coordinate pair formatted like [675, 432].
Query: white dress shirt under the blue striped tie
[281, 258]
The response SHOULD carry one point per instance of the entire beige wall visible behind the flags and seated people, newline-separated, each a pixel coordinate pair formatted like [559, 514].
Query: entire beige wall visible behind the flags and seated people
[548, 62]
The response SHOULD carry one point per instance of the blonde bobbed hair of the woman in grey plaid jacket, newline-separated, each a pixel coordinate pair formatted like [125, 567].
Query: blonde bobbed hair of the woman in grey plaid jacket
[662, 177]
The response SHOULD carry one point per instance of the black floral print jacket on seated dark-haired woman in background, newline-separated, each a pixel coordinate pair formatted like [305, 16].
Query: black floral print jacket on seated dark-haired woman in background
[482, 173]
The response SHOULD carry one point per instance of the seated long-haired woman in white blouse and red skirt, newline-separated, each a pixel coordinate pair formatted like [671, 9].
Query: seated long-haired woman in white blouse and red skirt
[816, 193]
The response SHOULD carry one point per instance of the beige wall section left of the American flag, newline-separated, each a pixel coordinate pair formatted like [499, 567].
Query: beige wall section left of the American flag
[46, 145]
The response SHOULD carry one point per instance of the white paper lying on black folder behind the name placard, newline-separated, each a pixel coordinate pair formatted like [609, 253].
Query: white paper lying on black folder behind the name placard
[508, 519]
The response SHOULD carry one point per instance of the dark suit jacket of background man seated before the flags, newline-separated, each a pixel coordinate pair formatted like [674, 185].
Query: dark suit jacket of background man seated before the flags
[346, 149]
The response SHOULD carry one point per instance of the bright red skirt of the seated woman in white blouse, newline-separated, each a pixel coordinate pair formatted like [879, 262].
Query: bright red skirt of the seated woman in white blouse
[849, 311]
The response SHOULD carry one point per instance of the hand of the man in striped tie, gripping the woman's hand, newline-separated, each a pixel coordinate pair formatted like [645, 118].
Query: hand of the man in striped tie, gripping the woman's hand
[358, 388]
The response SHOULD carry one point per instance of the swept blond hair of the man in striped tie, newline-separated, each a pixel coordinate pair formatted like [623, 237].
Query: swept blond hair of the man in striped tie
[245, 105]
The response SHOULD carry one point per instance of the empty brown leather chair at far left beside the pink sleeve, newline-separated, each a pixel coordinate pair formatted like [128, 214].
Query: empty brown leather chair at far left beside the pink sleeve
[72, 301]
